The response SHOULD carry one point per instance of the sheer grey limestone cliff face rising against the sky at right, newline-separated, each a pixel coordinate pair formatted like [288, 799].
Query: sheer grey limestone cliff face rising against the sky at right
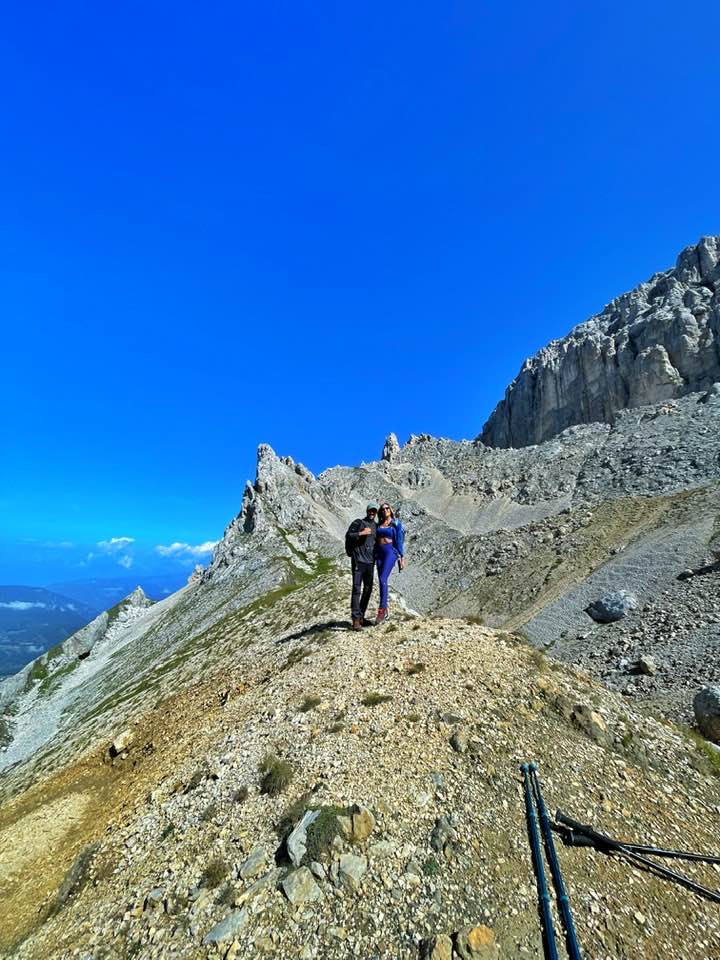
[659, 341]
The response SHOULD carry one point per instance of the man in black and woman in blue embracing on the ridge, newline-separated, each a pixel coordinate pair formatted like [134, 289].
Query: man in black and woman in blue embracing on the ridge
[378, 538]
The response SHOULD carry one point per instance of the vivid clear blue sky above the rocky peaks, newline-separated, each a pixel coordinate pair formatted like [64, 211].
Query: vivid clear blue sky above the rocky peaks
[310, 224]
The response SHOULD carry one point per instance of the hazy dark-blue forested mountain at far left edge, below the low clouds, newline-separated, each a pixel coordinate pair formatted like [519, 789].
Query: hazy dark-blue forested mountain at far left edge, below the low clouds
[32, 620]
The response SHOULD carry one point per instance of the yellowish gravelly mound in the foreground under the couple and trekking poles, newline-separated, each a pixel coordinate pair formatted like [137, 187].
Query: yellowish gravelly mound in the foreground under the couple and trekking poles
[175, 842]
